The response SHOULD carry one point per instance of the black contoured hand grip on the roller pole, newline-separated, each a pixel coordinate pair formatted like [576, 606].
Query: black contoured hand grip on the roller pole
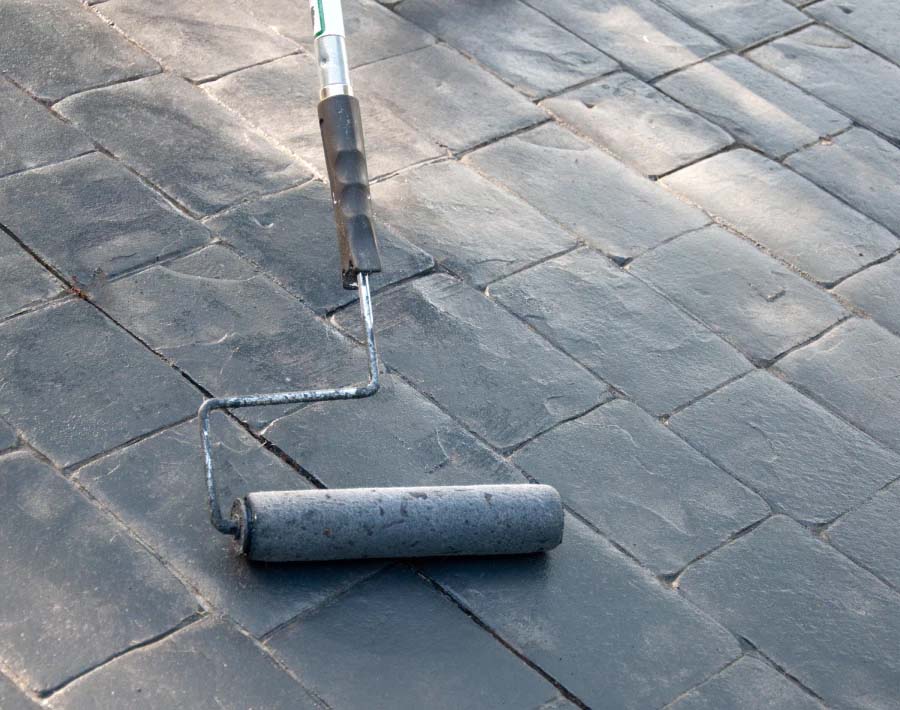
[345, 157]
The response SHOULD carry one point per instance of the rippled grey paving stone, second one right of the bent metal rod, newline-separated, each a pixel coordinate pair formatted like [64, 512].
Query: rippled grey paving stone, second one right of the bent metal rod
[621, 329]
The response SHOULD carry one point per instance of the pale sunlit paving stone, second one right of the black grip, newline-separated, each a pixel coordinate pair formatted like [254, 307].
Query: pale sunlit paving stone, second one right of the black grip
[590, 193]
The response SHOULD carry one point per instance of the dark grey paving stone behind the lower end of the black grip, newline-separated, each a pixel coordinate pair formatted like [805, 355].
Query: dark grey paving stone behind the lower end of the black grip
[292, 236]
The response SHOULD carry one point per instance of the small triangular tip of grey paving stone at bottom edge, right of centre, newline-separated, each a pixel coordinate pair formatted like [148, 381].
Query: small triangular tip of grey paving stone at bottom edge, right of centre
[750, 684]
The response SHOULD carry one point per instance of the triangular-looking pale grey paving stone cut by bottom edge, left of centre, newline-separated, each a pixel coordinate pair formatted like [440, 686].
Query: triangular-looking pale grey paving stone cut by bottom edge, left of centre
[210, 664]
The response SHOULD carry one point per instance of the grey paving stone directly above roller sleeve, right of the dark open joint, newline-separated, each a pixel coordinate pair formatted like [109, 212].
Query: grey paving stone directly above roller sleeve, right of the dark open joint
[398, 438]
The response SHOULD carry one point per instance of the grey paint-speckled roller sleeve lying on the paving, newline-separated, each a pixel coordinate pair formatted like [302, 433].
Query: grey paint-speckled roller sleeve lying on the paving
[357, 523]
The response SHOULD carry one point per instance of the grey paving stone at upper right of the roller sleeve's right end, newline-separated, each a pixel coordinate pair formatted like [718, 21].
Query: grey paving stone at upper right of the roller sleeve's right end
[641, 485]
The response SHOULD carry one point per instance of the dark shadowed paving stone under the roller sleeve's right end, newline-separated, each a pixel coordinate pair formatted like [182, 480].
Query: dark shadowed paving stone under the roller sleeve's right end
[602, 626]
